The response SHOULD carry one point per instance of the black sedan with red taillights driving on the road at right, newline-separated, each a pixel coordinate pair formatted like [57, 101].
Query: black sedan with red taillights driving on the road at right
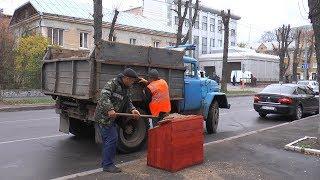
[288, 99]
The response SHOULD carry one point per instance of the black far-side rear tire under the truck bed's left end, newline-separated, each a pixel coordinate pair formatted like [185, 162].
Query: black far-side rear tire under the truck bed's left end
[80, 129]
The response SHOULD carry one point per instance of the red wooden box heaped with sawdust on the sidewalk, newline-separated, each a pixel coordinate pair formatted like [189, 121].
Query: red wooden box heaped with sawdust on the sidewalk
[176, 144]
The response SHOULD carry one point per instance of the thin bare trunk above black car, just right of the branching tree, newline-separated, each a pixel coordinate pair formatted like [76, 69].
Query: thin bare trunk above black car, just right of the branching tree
[296, 54]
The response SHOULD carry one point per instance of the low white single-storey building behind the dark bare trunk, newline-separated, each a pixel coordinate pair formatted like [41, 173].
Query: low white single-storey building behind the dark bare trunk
[264, 67]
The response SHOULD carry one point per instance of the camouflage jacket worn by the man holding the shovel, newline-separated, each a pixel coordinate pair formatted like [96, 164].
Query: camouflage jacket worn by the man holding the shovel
[114, 96]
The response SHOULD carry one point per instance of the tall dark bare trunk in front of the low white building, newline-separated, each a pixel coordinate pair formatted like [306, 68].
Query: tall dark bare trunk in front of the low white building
[225, 20]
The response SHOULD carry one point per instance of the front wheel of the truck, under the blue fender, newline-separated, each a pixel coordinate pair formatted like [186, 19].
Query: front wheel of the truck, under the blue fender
[213, 118]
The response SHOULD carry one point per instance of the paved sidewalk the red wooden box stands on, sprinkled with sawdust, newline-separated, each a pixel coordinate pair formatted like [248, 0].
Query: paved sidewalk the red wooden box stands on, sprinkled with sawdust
[256, 155]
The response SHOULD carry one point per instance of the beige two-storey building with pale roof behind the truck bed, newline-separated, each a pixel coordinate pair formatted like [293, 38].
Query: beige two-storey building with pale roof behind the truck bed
[71, 26]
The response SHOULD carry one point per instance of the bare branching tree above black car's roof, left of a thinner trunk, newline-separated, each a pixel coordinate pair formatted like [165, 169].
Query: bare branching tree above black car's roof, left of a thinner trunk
[284, 39]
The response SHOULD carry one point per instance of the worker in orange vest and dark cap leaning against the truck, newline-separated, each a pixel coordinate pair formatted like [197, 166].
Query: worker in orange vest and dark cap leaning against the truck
[157, 94]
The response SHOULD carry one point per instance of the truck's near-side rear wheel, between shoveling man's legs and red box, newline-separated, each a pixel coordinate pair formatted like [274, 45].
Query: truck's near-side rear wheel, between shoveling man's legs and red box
[133, 135]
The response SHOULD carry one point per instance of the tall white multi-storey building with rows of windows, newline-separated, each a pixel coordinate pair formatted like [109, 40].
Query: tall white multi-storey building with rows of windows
[207, 32]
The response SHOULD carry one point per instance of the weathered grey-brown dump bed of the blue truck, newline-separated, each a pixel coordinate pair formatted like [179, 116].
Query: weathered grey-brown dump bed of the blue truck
[84, 77]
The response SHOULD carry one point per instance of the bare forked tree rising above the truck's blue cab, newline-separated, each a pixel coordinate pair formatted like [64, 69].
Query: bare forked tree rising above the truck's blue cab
[182, 18]
